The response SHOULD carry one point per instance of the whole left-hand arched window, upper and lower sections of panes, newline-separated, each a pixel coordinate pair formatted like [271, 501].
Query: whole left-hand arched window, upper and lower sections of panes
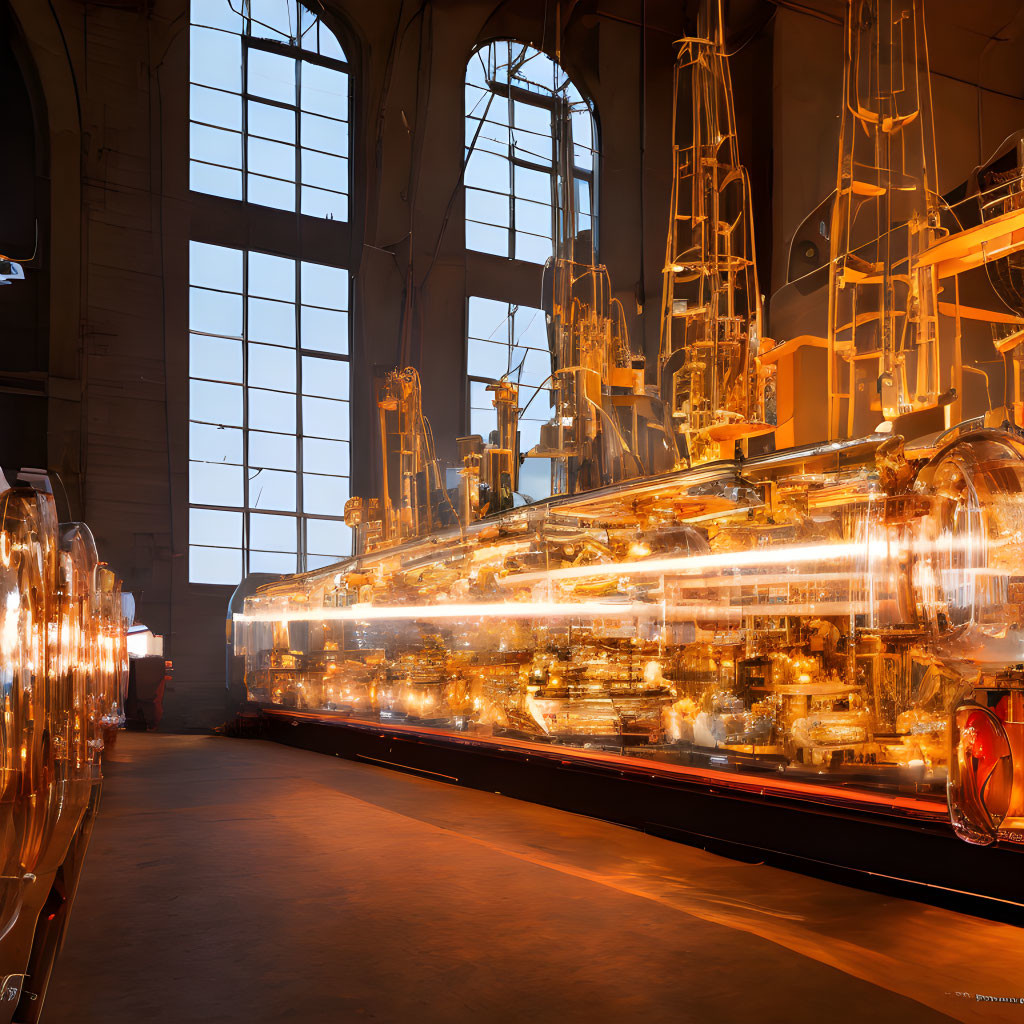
[269, 332]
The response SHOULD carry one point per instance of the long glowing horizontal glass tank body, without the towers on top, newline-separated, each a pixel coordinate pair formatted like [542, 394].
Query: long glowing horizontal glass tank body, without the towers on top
[819, 614]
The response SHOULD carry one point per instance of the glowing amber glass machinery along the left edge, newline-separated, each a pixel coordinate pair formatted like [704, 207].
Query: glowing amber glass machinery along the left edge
[64, 673]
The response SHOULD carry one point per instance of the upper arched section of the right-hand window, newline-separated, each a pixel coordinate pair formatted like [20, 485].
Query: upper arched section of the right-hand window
[531, 154]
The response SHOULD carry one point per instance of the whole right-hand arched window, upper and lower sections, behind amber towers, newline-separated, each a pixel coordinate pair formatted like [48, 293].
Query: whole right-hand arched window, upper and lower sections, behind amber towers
[530, 184]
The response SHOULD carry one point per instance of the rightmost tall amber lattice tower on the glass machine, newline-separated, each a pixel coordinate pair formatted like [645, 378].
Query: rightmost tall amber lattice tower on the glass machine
[884, 356]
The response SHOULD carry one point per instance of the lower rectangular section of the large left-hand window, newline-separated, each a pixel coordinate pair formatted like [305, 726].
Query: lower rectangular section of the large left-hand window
[270, 420]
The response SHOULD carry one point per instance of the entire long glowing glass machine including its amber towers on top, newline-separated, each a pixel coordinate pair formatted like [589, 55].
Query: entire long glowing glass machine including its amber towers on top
[845, 612]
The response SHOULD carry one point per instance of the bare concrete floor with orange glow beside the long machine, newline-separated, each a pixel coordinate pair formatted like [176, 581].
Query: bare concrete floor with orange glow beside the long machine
[239, 881]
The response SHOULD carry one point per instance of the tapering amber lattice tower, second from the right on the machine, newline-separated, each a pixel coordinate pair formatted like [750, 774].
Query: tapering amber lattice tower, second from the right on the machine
[709, 373]
